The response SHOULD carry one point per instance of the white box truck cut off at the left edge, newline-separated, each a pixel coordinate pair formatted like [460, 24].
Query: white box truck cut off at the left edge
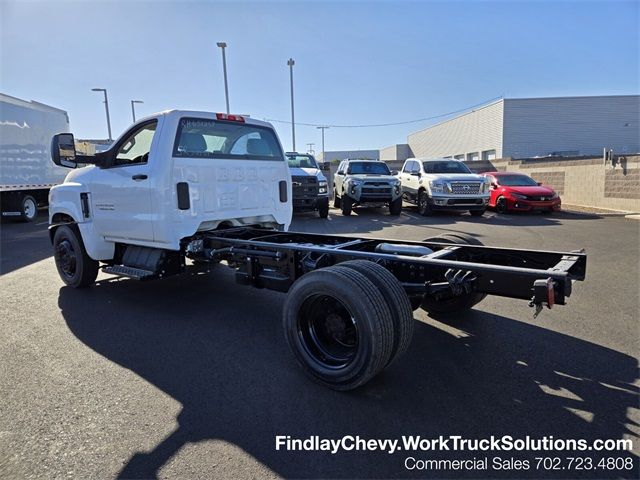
[26, 170]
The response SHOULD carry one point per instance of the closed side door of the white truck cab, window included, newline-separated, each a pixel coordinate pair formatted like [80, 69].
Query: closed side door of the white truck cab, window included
[121, 191]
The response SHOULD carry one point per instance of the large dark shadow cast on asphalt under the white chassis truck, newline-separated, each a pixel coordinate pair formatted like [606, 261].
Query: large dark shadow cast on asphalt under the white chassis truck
[218, 349]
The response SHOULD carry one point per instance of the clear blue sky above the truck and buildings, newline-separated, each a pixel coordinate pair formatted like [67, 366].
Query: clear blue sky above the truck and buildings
[356, 62]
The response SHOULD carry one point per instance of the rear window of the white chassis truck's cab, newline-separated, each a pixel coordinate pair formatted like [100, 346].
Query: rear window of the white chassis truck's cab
[203, 138]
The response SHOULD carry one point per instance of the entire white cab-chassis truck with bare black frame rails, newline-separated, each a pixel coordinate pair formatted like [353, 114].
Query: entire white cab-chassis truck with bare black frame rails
[213, 188]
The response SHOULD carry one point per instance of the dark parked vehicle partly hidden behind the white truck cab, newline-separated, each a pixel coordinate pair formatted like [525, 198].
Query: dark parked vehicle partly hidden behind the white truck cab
[310, 191]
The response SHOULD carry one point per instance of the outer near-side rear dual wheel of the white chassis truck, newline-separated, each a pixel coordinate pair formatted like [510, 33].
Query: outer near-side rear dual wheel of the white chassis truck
[338, 326]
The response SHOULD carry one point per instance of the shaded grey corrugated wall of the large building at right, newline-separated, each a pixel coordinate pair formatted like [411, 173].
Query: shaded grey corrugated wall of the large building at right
[584, 125]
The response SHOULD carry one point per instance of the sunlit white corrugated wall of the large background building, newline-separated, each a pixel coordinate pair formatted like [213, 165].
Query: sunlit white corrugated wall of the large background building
[476, 131]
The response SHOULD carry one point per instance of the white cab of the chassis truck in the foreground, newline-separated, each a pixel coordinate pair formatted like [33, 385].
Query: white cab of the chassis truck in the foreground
[169, 176]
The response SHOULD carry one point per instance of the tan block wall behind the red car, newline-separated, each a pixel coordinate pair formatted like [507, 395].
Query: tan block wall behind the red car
[581, 181]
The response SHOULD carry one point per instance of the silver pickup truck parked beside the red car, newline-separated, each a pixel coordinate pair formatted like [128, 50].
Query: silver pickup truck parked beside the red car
[443, 184]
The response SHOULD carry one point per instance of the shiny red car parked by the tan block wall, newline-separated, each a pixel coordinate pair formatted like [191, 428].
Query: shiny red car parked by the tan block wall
[516, 191]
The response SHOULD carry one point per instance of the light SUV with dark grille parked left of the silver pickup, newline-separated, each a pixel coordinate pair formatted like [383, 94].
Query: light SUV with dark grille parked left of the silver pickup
[366, 183]
